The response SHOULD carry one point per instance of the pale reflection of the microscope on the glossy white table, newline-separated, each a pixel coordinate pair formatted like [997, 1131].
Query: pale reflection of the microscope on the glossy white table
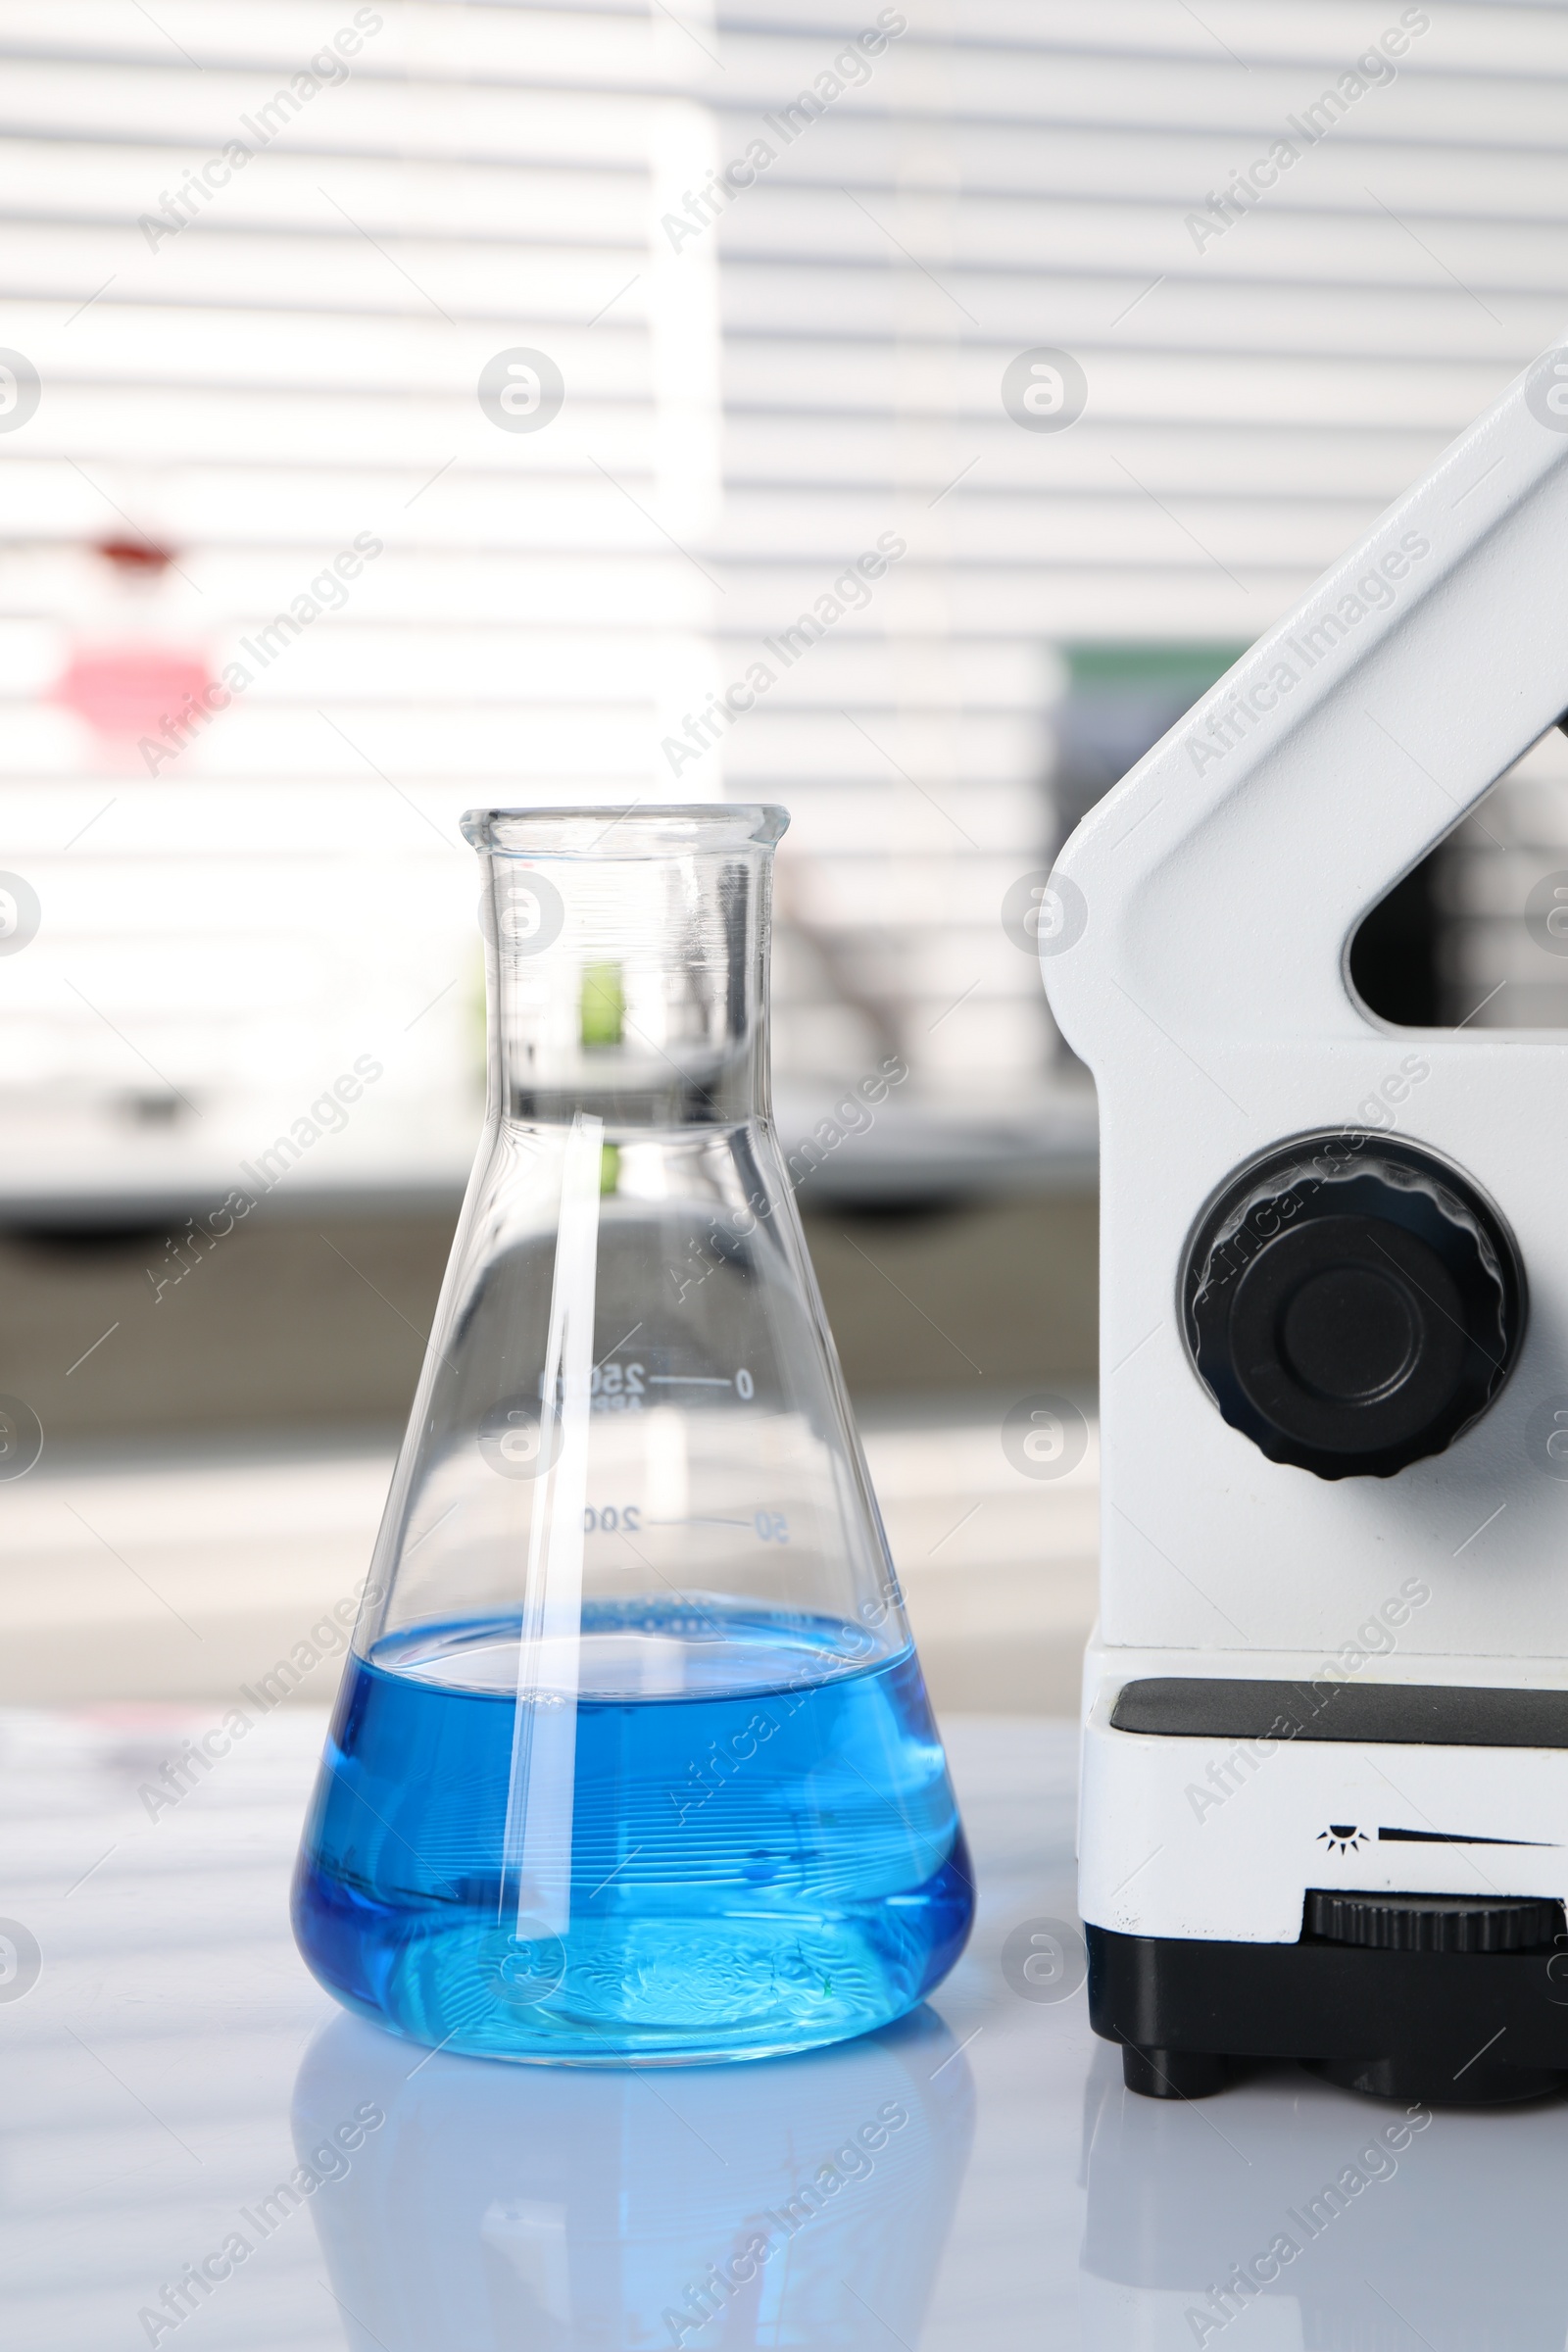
[1320, 2224]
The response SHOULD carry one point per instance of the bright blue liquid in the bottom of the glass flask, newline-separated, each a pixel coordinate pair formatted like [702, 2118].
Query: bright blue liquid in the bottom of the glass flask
[765, 1852]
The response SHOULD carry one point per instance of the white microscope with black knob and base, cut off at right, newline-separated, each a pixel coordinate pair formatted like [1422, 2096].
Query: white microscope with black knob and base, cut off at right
[1325, 1756]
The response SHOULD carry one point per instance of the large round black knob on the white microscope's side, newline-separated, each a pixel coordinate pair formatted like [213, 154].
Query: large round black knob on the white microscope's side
[1353, 1304]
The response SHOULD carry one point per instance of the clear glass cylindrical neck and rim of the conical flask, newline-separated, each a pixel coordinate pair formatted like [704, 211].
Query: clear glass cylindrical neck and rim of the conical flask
[629, 963]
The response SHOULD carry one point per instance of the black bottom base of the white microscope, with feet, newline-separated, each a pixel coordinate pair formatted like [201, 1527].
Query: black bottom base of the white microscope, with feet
[1445, 2029]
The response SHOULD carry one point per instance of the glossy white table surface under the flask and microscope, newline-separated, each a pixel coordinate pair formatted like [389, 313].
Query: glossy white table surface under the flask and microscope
[175, 2059]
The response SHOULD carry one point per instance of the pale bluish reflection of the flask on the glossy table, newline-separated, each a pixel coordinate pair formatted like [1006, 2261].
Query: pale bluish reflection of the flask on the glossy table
[500, 2212]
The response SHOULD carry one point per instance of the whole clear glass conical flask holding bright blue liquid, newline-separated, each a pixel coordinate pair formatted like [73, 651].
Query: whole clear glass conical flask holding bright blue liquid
[634, 1756]
